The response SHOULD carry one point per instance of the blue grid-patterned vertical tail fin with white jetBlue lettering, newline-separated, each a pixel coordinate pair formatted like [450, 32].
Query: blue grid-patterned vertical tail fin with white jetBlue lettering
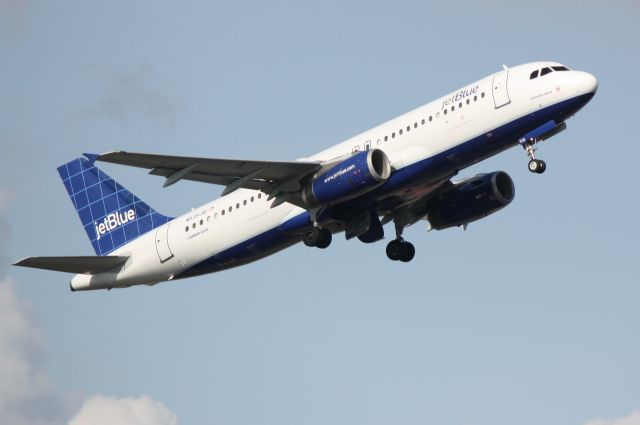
[110, 214]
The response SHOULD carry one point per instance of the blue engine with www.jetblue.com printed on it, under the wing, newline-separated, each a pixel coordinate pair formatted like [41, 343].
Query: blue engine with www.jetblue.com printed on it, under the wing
[356, 175]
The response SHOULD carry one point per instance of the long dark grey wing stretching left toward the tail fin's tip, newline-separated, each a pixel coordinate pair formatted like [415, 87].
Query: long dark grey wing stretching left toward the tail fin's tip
[268, 176]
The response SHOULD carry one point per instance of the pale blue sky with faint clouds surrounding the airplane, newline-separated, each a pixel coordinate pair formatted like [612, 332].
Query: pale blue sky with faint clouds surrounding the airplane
[530, 316]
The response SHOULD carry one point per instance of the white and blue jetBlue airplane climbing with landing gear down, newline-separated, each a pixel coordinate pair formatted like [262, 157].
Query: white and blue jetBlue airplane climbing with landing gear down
[400, 171]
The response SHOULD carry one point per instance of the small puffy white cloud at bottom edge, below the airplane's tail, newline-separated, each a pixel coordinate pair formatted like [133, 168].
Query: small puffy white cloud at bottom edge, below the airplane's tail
[143, 410]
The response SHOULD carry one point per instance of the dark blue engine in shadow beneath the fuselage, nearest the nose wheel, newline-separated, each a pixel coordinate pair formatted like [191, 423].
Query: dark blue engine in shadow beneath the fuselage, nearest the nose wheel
[471, 200]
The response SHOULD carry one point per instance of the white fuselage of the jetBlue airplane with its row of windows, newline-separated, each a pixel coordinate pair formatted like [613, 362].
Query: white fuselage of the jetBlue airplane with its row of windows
[245, 221]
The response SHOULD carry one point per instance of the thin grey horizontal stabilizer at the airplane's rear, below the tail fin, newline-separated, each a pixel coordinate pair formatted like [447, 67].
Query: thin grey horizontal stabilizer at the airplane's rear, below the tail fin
[81, 265]
